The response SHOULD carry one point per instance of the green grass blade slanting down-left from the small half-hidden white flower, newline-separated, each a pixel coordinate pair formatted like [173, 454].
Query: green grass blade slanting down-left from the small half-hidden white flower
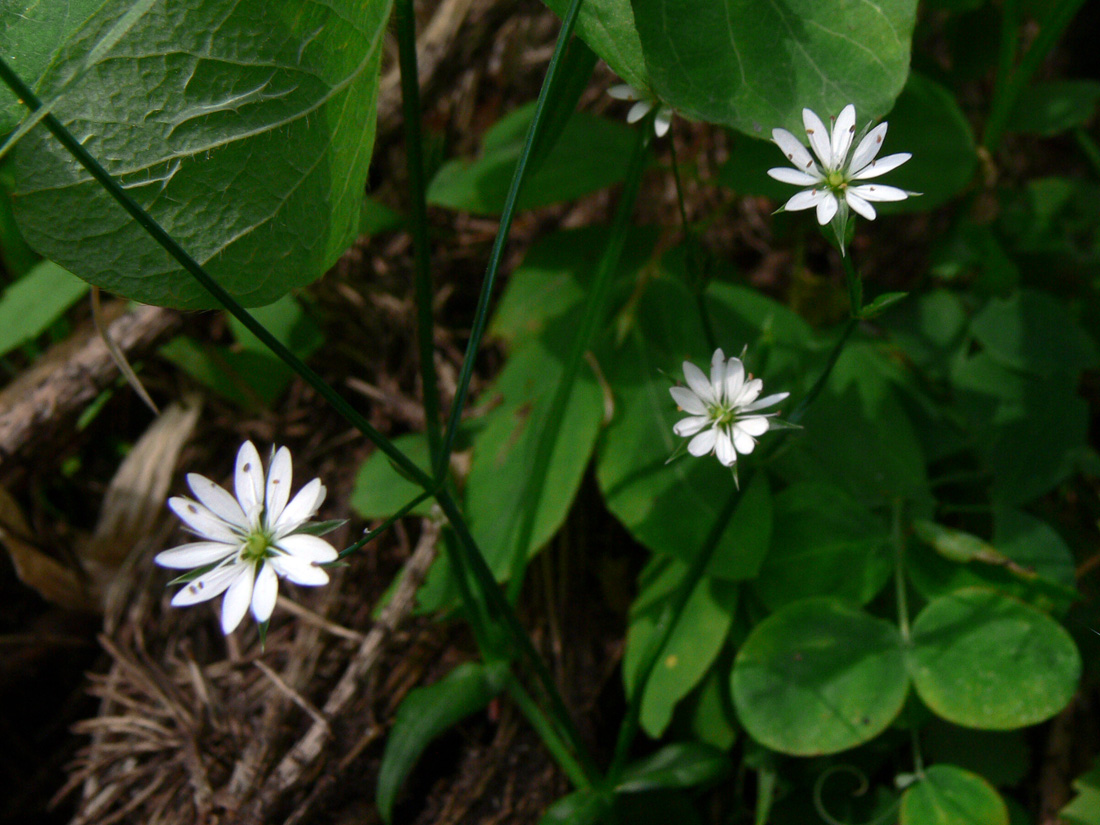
[593, 313]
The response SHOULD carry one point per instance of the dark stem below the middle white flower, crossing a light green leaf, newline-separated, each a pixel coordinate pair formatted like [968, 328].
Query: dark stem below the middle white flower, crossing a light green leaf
[629, 730]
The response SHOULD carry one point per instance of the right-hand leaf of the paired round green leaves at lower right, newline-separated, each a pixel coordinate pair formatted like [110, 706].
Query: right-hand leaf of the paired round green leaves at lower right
[985, 661]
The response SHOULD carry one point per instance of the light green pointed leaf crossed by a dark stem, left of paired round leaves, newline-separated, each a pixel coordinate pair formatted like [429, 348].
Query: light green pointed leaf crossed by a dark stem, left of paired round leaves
[696, 642]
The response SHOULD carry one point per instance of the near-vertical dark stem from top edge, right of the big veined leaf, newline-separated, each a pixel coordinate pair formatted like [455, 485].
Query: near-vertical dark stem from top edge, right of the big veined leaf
[414, 158]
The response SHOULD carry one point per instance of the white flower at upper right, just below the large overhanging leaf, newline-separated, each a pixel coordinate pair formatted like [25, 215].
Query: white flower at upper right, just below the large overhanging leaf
[831, 177]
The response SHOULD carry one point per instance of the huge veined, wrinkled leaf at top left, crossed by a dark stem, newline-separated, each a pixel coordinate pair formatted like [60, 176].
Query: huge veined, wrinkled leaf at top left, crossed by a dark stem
[245, 130]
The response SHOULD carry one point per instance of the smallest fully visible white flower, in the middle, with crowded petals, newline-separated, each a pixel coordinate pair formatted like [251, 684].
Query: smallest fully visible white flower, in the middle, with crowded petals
[723, 412]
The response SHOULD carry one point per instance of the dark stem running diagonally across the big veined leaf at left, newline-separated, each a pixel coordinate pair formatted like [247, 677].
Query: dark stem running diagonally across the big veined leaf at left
[144, 218]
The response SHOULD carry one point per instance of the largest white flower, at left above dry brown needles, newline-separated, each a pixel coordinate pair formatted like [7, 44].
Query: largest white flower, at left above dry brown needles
[249, 542]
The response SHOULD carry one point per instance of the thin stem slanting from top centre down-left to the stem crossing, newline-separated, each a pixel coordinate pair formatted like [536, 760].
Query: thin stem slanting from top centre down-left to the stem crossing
[497, 255]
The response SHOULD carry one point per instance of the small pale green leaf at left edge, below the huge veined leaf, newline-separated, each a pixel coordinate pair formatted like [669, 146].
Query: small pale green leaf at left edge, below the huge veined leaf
[34, 303]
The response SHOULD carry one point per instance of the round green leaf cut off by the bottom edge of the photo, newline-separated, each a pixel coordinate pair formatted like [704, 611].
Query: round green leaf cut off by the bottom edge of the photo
[950, 796]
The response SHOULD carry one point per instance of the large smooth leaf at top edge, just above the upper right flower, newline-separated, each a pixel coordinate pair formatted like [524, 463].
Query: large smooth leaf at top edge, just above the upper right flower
[754, 67]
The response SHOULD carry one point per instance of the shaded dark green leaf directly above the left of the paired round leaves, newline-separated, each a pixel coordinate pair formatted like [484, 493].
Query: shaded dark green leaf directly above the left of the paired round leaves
[824, 544]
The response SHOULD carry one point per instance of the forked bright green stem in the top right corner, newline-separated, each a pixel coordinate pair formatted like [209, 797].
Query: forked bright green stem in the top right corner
[1011, 83]
